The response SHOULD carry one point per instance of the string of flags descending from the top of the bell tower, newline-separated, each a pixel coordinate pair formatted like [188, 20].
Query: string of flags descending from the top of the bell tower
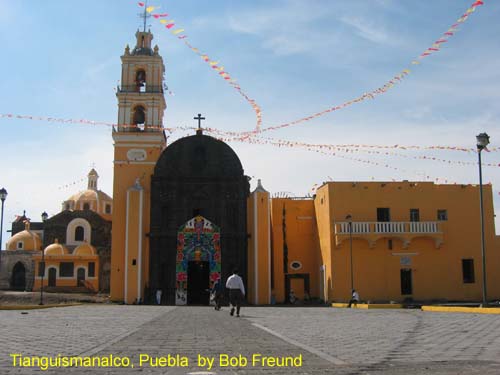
[214, 64]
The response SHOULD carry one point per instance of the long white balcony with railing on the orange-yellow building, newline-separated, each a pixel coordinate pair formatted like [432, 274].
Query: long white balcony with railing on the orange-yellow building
[403, 230]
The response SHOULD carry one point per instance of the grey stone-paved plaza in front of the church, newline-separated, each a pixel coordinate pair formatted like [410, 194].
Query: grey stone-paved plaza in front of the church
[307, 340]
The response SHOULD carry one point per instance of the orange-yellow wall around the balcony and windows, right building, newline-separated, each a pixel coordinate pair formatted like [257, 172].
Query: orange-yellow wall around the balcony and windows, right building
[436, 272]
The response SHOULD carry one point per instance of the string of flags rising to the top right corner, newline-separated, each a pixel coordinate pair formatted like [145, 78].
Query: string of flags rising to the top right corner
[398, 78]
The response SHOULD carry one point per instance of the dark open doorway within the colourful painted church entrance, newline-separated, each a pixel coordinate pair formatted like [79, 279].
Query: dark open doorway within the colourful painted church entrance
[198, 287]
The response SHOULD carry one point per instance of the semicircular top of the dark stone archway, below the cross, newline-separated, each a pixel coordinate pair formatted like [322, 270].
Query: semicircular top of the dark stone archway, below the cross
[198, 155]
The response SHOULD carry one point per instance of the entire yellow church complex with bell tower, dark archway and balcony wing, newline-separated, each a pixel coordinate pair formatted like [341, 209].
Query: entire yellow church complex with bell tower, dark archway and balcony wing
[184, 216]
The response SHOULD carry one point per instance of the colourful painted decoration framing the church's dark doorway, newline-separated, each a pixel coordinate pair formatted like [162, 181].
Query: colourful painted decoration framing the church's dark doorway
[197, 241]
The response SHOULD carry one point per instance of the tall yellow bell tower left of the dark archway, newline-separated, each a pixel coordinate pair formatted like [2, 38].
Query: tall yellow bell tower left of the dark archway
[138, 142]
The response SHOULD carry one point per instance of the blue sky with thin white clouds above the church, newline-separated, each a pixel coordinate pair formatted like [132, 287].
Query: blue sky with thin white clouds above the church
[295, 58]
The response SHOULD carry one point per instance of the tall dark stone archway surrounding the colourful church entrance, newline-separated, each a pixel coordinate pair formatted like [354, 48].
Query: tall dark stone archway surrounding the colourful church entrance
[197, 175]
